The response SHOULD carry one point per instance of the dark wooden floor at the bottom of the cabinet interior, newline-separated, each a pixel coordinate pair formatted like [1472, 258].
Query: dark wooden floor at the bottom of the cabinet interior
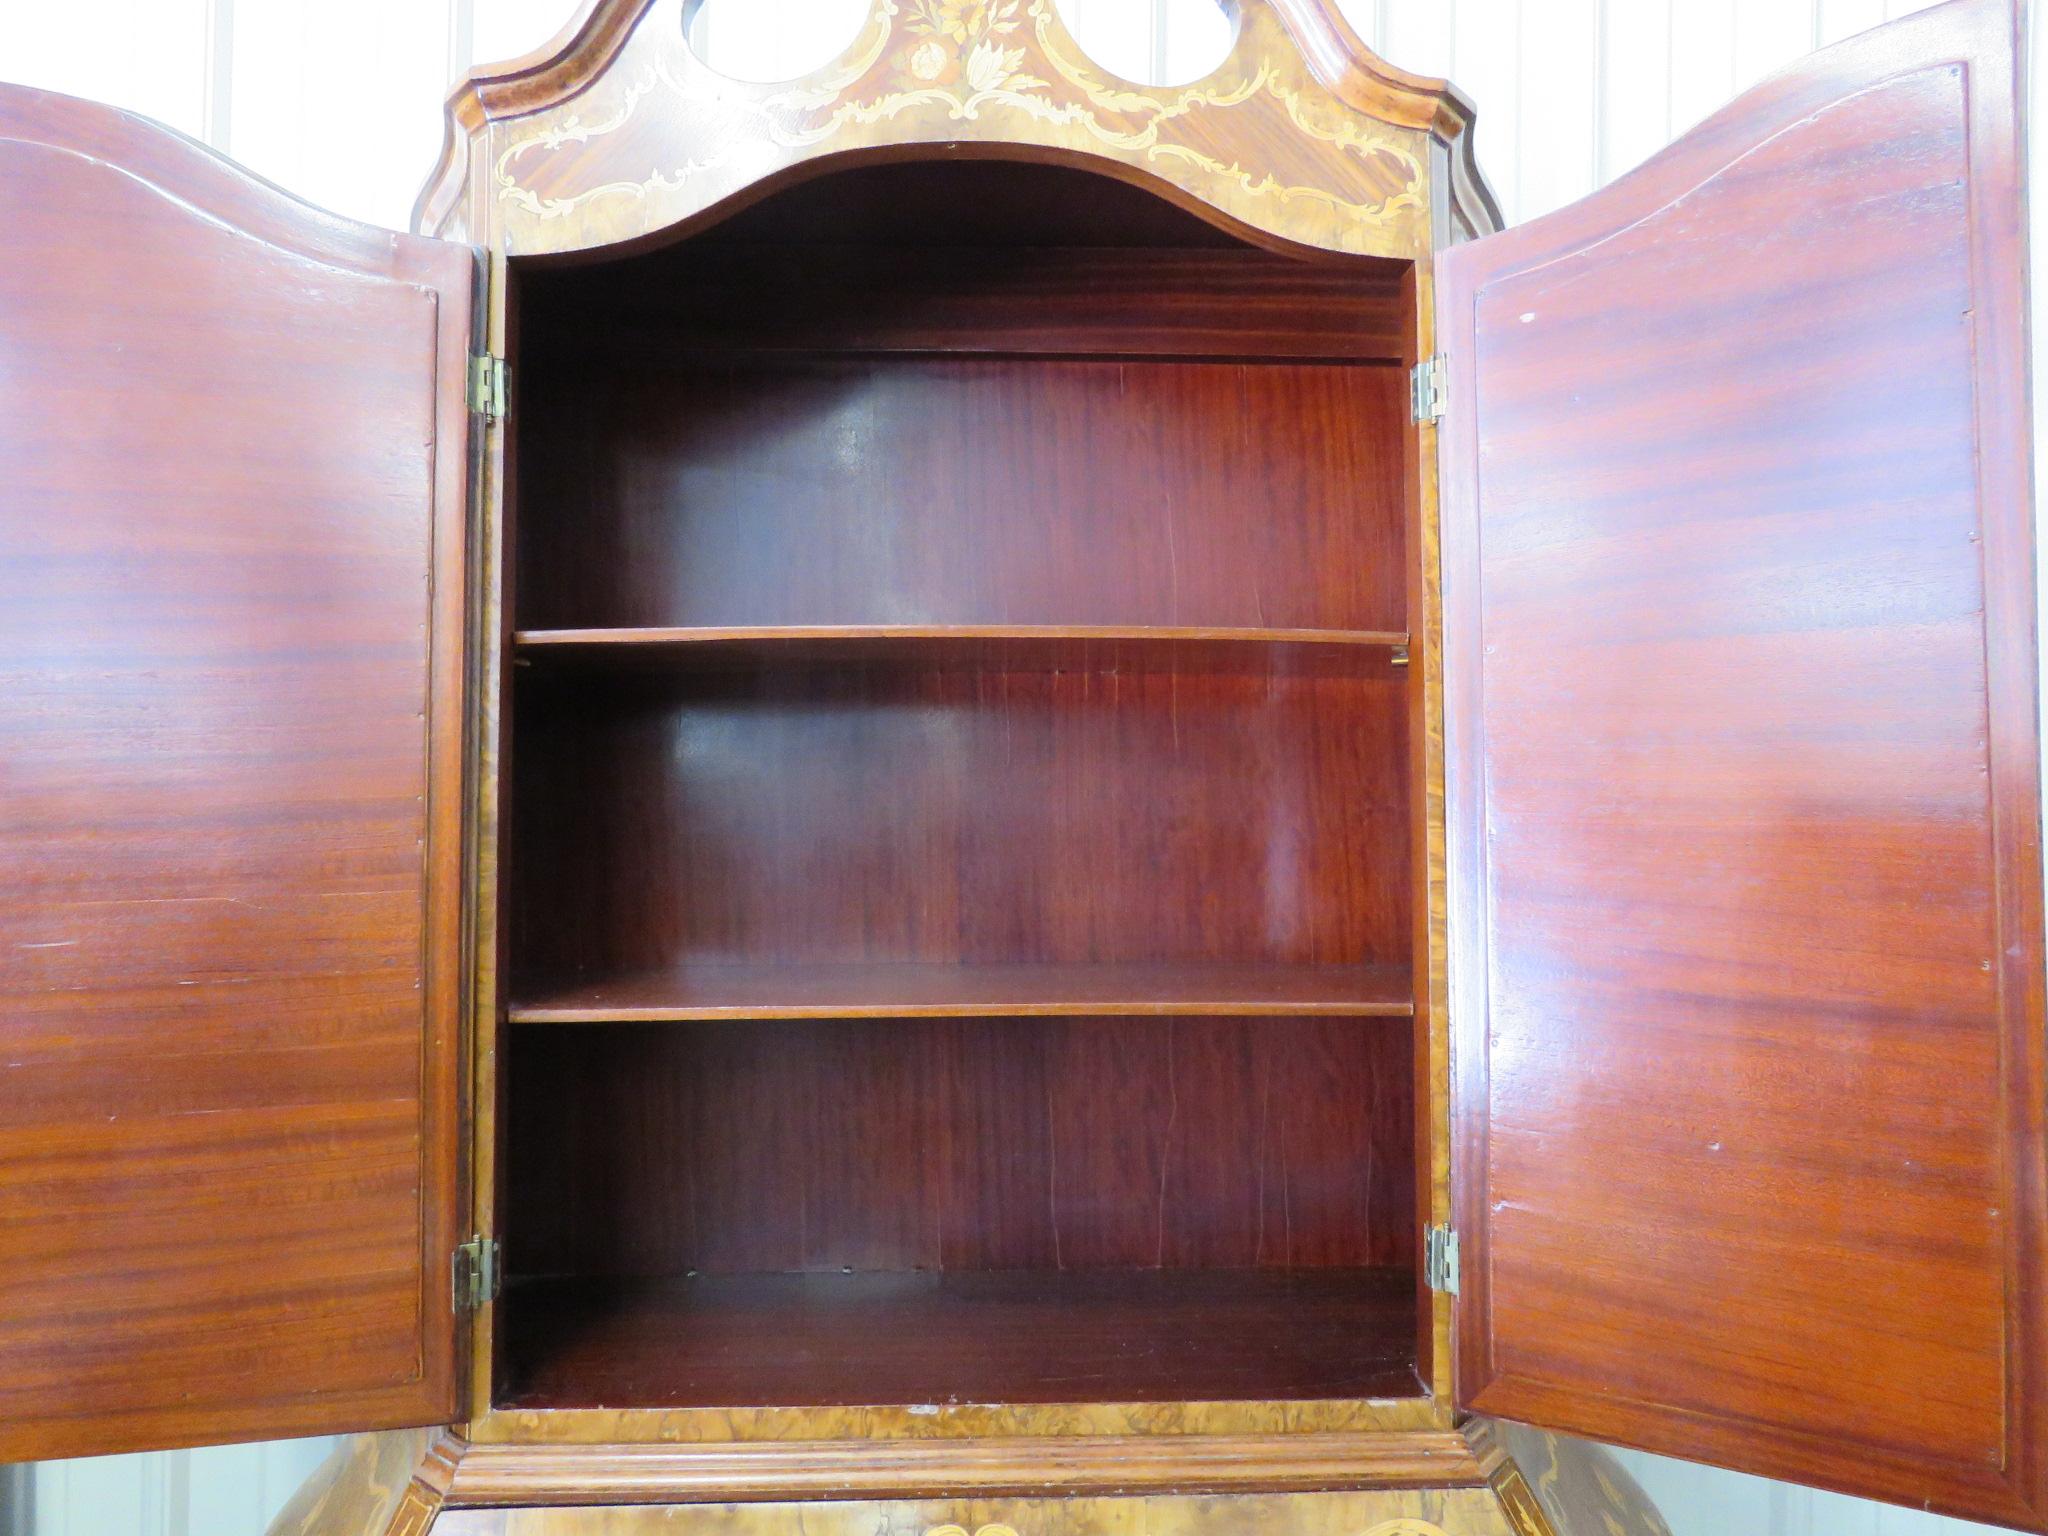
[1011, 1336]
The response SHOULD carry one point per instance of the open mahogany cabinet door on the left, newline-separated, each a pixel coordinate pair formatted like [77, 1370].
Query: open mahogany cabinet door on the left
[232, 525]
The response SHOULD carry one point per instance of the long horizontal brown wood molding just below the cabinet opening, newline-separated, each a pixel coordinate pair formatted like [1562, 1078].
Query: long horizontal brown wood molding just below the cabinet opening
[544, 1476]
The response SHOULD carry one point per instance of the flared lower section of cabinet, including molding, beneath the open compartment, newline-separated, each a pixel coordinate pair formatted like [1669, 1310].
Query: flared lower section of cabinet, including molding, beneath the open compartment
[1420, 1484]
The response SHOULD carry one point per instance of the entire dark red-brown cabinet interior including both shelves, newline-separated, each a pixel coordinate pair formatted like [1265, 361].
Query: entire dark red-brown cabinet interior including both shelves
[957, 652]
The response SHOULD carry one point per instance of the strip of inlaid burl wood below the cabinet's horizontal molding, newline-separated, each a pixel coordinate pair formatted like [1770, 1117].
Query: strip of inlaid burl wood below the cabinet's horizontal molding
[1426, 1512]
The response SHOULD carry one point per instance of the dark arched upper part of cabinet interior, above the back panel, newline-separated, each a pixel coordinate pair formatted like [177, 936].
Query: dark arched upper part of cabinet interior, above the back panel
[998, 253]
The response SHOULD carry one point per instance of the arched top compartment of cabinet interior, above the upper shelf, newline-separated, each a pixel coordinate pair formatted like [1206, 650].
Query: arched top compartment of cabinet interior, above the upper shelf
[941, 394]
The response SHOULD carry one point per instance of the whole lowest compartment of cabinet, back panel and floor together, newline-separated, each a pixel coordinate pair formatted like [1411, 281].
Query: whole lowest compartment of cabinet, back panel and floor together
[931, 1209]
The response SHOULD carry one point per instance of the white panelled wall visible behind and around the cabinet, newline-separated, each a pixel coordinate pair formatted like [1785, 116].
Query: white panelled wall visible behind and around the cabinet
[341, 103]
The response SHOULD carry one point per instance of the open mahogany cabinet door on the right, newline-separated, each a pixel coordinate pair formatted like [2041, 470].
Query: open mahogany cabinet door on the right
[1746, 876]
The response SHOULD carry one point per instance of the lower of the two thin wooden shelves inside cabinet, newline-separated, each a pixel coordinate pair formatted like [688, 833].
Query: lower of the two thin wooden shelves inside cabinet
[706, 992]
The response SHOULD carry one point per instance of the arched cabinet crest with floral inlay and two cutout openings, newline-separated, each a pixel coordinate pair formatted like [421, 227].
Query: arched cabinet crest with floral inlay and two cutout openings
[620, 134]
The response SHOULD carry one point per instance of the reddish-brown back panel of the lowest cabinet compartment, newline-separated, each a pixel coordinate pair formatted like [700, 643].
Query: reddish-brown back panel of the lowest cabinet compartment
[962, 1146]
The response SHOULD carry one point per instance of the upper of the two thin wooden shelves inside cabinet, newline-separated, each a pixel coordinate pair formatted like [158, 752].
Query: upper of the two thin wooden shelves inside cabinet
[998, 648]
